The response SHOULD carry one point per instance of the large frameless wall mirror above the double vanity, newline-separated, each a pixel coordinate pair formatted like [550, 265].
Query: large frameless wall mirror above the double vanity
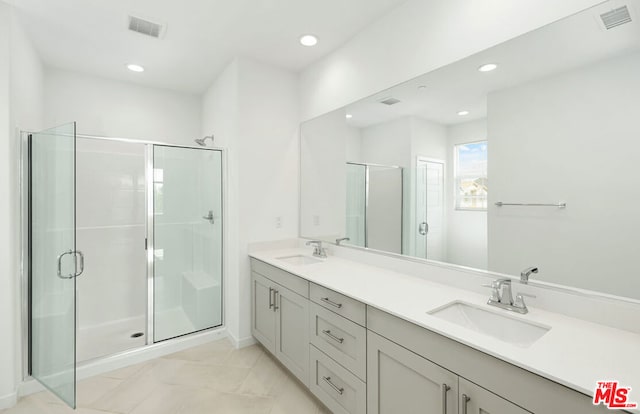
[522, 155]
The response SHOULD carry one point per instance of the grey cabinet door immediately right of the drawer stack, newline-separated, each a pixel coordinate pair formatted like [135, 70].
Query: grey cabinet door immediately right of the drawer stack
[399, 381]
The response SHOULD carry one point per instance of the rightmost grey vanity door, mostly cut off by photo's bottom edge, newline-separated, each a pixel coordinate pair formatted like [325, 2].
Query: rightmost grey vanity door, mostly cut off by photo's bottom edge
[477, 400]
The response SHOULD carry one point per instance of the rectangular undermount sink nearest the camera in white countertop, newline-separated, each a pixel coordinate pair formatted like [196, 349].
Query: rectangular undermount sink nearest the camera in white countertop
[502, 327]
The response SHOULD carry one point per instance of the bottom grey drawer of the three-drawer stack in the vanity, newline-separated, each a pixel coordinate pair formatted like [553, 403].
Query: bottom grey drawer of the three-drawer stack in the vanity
[337, 388]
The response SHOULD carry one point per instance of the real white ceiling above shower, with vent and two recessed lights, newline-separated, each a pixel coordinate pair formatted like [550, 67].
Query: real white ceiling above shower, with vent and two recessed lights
[202, 36]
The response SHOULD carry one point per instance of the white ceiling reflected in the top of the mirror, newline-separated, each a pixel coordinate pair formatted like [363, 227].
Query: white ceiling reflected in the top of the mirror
[570, 43]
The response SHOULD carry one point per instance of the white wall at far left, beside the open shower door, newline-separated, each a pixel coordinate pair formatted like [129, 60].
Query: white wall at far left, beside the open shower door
[20, 109]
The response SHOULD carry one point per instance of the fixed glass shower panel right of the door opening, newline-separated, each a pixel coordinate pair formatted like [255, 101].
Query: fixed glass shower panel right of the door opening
[187, 240]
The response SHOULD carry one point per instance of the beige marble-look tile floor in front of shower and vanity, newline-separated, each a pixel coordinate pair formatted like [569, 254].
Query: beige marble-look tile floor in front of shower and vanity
[208, 379]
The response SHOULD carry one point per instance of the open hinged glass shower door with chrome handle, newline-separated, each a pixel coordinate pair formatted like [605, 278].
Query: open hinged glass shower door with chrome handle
[54, 263]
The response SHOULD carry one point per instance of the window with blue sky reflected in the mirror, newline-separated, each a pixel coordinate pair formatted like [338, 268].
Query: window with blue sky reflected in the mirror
[471, 176]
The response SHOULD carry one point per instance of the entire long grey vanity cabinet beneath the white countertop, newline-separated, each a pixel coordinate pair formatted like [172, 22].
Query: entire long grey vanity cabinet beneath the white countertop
[358, 359]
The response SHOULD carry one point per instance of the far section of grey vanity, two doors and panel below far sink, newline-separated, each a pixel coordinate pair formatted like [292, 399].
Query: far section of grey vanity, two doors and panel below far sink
[280, 316]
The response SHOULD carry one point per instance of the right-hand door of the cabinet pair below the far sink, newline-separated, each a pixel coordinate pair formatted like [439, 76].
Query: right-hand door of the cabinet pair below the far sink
[292, 339]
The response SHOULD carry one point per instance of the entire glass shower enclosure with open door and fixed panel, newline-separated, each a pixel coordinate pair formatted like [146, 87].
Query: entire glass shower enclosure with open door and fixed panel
[182, 243]
